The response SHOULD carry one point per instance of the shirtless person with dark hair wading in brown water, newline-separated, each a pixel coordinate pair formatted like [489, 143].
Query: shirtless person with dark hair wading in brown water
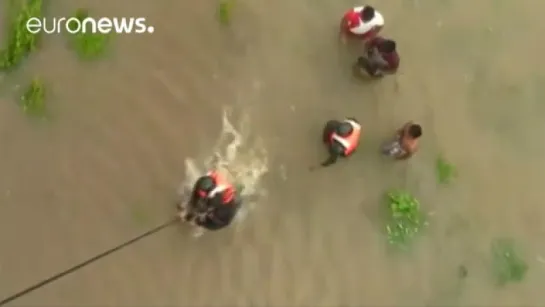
[405, 142]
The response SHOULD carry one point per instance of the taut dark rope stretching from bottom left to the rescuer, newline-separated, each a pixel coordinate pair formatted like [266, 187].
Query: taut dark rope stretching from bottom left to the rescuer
[85, 263]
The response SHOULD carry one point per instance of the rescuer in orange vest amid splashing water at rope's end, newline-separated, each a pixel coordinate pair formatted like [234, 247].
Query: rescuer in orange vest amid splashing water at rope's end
[213, 204]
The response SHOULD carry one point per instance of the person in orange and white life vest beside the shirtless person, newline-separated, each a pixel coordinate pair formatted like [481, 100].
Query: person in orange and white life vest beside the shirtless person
[341, 138]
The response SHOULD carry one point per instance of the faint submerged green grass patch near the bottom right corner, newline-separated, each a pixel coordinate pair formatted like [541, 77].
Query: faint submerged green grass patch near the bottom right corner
[507, 265]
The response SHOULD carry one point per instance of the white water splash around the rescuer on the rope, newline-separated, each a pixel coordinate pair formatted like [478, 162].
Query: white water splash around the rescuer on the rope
[239, 156]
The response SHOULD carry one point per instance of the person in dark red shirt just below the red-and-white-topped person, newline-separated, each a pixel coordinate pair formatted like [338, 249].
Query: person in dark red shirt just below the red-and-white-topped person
[381, 57]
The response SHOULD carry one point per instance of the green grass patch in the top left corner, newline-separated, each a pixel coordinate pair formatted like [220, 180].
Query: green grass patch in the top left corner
[20, 42]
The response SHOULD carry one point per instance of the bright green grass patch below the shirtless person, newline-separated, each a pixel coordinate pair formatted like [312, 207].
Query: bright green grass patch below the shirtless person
[406, 218]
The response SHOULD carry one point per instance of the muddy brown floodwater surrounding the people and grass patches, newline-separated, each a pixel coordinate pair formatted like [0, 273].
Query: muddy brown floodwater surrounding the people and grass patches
[109, 163]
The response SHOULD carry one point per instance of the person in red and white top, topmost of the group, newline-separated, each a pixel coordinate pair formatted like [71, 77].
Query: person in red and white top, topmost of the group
[362, 22]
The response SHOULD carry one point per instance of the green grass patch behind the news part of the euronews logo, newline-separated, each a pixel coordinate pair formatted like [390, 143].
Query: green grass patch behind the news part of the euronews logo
[88, 45]
